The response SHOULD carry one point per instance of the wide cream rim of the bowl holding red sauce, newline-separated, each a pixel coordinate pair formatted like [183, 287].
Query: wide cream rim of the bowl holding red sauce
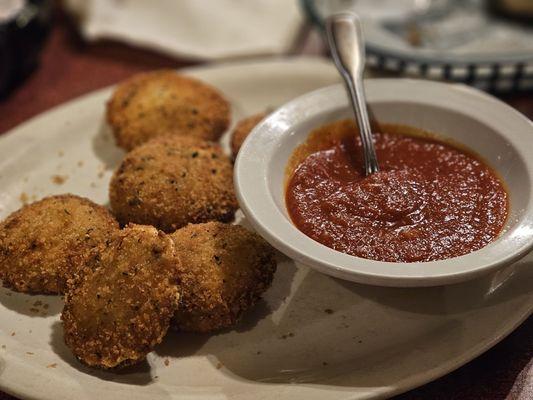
[258, 205]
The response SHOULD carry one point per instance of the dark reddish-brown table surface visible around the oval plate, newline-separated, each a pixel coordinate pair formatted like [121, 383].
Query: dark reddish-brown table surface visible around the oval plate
[70, 68]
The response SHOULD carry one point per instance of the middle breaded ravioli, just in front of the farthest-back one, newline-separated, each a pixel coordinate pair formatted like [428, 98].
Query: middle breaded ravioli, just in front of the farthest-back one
[172, 181]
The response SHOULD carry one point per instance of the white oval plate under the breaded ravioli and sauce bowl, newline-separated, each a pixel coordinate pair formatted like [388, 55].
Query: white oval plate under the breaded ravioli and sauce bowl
[313, 337]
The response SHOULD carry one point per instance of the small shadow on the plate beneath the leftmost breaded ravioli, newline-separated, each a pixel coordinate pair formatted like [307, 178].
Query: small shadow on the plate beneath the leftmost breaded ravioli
[31, 305]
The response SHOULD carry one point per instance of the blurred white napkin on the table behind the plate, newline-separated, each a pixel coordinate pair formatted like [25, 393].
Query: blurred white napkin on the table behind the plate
[196, 29]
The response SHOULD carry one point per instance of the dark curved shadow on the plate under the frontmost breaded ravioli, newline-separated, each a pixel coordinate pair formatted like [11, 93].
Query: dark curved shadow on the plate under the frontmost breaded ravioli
[138, 375]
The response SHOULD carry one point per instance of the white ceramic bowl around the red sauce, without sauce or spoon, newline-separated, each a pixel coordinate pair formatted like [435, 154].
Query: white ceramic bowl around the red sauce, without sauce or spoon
[501, 135]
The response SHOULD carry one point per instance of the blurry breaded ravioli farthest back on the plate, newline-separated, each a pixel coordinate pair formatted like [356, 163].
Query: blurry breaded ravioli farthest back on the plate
[163, 102]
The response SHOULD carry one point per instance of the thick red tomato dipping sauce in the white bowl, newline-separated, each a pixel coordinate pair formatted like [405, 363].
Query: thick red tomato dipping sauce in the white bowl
[430, 200]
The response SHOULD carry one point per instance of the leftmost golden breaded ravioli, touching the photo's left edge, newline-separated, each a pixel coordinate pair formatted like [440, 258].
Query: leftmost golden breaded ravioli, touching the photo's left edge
[45, 243]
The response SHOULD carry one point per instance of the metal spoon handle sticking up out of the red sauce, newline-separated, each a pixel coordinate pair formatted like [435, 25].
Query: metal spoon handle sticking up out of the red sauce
[345, 38]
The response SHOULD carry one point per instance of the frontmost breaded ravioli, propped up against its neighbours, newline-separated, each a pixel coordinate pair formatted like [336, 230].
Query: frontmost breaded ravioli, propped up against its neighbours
[118, 313]
